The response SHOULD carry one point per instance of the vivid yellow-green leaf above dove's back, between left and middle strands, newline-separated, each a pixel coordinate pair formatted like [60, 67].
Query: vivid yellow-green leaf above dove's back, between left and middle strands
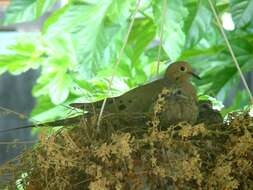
[133, 63]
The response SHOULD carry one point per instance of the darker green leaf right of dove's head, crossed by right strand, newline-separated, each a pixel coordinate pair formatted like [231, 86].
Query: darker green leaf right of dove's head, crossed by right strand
[219, 74]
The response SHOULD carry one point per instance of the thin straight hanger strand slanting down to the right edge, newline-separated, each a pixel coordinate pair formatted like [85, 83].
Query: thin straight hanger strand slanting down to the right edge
[231, 50]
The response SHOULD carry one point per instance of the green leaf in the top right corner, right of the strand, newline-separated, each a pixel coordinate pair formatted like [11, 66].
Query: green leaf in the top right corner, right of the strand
[242, 12]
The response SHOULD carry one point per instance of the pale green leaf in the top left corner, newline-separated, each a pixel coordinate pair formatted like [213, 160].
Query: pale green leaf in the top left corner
[26, 10]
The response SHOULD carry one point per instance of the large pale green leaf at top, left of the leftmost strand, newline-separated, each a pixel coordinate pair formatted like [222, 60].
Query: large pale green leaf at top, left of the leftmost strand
[91, 27]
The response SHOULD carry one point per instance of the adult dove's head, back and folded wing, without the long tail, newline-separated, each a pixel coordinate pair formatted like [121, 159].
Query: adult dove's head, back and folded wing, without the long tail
[141, 98]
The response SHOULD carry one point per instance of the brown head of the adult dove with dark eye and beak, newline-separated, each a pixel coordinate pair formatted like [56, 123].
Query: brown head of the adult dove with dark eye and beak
[179, 72]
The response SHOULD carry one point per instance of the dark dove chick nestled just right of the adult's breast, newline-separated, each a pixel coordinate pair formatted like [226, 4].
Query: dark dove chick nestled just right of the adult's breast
[207, 114]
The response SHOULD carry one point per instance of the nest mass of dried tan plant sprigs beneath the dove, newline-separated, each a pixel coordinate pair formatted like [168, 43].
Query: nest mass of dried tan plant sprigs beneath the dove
[130, 151]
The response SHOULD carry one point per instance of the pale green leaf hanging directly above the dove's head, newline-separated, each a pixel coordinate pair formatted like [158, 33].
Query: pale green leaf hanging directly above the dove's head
[174, 36]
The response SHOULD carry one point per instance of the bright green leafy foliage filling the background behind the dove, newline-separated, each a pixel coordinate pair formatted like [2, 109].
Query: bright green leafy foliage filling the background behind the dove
[80, 43]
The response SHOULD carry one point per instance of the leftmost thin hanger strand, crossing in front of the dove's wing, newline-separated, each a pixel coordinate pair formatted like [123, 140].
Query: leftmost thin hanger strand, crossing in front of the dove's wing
[118, 60]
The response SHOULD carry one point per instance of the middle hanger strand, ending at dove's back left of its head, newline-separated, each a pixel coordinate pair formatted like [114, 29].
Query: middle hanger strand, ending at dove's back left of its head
[161, 36]
